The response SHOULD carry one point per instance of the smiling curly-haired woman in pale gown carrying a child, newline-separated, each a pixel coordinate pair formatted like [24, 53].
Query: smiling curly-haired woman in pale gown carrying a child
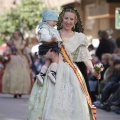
[68, 99]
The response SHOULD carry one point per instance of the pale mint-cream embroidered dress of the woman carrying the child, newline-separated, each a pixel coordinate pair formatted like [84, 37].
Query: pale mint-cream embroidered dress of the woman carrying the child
[66, 100]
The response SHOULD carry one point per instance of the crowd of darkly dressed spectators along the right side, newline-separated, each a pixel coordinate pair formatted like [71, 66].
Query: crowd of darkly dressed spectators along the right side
[105, 93]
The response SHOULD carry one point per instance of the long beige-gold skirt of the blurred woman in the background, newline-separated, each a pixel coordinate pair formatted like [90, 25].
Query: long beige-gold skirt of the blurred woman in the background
[16, 78]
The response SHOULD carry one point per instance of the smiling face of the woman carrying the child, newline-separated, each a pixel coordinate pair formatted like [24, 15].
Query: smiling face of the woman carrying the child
[69, 20]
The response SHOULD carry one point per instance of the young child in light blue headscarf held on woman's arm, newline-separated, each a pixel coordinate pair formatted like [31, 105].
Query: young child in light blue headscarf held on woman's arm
[48, 34]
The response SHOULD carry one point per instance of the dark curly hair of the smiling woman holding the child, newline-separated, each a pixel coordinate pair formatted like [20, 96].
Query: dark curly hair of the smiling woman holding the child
[78, 26]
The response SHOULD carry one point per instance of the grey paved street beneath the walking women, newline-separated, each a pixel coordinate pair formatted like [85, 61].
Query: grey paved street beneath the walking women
[16, 109]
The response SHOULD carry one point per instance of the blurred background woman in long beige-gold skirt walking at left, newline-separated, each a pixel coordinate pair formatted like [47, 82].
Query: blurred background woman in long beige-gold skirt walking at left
[16, 78]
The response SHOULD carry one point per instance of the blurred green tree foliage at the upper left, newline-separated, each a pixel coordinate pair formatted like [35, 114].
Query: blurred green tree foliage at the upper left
[26, 15]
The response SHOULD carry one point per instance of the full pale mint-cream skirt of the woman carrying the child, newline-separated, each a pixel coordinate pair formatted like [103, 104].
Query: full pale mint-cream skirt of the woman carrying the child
[63, 101]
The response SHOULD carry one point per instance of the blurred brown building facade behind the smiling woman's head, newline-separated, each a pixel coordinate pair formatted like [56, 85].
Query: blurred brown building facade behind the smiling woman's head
[95, 14]
